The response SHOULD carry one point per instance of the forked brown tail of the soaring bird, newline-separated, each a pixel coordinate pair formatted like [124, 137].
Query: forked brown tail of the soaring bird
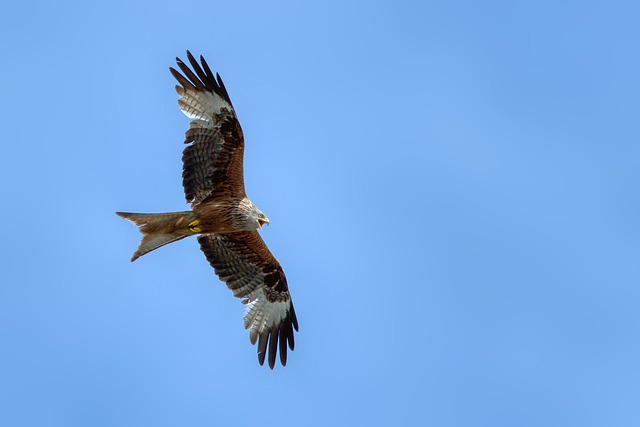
[159, 229]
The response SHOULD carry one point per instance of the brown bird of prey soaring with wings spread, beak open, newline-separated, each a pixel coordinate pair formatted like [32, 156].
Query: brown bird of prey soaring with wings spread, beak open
[222, 216]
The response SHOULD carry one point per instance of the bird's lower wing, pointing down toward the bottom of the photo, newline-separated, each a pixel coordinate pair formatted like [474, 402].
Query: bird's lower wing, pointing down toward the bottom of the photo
[244, 262]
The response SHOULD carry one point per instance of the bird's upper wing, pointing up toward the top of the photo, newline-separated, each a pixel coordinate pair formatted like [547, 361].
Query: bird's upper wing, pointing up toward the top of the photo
[212, 163]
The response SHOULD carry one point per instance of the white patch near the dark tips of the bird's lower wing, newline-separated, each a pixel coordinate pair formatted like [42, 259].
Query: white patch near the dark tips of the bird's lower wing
[261, 314]
